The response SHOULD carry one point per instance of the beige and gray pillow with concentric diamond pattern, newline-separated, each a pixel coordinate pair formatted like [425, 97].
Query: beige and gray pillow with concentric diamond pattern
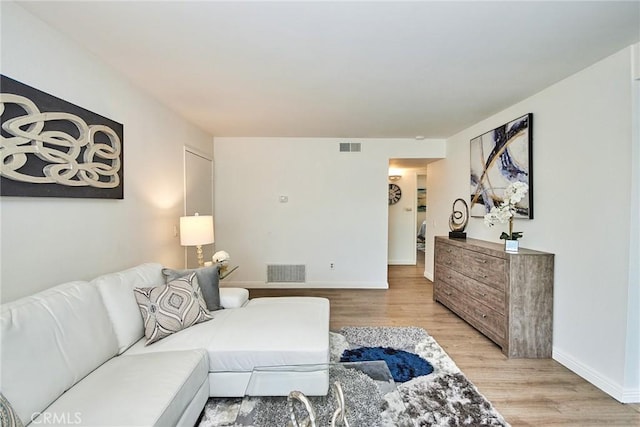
[170, 308]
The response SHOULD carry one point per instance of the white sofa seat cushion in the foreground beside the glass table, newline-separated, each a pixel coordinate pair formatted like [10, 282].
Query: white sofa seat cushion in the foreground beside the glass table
[151, 389]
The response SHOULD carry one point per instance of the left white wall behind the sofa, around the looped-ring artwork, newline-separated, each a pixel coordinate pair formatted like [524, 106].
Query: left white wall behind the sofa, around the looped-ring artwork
[46, 241]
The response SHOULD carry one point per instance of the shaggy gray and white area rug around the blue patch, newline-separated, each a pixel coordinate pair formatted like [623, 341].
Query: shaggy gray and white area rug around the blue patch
[443, 398]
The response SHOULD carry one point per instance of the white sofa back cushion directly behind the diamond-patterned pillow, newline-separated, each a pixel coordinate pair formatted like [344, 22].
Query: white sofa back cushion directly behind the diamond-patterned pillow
[117, 293]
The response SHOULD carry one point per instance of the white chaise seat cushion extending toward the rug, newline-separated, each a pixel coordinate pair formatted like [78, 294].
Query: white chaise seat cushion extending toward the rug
[265, 332]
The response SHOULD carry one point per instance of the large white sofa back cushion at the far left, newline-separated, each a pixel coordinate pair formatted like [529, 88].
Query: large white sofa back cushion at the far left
[50, 341]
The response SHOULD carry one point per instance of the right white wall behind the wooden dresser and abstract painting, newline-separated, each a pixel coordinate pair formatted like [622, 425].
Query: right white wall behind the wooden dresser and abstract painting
[584, 160]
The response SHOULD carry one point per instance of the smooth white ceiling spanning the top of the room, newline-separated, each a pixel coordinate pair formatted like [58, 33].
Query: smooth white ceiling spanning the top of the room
[344, 69]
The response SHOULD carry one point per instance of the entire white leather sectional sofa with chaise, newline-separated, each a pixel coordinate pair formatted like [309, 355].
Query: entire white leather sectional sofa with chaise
[75, 354]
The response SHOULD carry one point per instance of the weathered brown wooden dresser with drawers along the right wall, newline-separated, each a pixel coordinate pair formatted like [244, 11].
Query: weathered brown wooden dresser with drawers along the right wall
[506, 296]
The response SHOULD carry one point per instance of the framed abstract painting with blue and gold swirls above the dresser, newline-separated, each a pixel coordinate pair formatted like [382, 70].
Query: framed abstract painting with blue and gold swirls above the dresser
[498, 158]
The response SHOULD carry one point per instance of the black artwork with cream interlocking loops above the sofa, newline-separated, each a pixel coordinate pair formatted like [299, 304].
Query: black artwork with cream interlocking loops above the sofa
[52, 148]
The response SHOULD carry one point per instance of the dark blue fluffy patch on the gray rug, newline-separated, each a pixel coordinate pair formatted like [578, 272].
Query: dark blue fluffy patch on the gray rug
[402, 364]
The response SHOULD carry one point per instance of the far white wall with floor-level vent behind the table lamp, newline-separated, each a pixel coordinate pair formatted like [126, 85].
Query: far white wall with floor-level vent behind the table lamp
[336, 213]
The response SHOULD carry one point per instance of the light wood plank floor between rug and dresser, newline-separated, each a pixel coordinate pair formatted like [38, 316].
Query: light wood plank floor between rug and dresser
[527, 392]
